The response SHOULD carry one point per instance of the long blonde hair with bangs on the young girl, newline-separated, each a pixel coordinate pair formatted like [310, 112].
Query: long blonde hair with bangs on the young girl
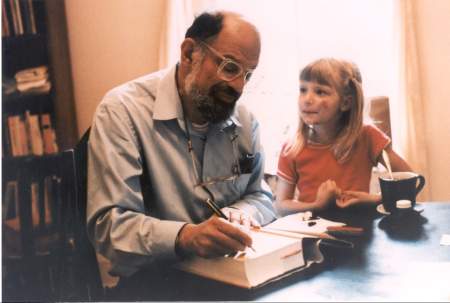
[345, 77]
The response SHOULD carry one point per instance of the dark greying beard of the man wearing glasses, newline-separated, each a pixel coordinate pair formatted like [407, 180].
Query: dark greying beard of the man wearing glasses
[211, 106]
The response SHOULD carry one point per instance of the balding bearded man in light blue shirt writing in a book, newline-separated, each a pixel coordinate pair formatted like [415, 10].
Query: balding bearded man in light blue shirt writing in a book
[182, 126]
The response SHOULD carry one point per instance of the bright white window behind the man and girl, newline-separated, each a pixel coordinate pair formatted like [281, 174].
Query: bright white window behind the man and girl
[296, 32]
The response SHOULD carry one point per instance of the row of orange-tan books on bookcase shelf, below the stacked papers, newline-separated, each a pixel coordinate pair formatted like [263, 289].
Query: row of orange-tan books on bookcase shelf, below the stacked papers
[30, 134]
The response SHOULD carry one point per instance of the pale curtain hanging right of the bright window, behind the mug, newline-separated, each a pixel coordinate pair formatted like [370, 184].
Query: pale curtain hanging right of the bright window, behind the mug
[410, 109]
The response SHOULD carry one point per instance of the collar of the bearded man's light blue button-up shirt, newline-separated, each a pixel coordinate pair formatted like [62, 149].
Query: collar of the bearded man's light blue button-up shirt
[168, 102]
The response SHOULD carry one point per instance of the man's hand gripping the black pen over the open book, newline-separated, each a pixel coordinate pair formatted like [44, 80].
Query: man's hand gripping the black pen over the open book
[213, 237]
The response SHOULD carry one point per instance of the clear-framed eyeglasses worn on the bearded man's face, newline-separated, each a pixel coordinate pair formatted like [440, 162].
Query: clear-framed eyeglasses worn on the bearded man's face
[228, 69]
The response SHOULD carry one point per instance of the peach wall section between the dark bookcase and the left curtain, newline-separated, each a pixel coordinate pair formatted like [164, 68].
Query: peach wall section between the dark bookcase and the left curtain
[110, 42]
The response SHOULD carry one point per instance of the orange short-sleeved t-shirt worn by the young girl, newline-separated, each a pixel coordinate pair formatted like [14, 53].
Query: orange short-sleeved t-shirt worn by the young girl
[316, 163]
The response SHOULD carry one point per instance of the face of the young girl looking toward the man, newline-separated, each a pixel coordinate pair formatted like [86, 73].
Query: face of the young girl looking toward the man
[320, 105]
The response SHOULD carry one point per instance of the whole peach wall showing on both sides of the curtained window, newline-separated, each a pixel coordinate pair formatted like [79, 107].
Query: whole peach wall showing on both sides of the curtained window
[115, 41]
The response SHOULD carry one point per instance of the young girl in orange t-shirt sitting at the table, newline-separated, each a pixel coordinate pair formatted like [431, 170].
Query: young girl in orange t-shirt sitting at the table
[330, 159]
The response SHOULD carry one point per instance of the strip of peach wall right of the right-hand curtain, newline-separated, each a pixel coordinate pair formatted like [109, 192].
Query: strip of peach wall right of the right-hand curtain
[433, 27]
